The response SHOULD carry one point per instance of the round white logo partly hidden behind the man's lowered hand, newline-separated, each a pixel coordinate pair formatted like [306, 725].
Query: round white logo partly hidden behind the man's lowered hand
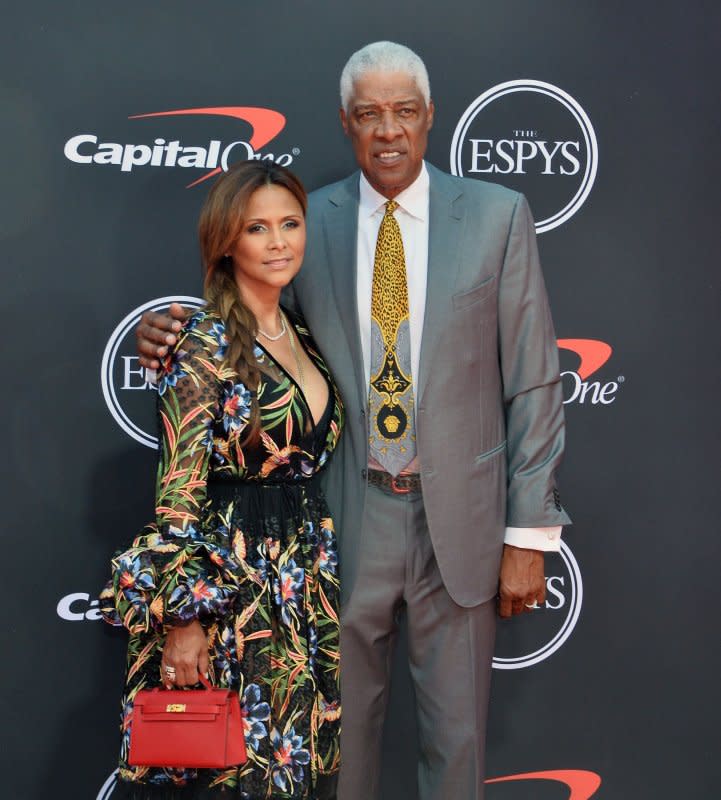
[533, 637]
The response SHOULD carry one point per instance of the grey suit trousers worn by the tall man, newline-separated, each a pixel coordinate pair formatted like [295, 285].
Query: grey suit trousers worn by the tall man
[450, 653]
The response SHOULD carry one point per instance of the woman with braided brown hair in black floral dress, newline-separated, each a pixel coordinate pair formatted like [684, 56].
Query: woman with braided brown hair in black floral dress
[238, 576]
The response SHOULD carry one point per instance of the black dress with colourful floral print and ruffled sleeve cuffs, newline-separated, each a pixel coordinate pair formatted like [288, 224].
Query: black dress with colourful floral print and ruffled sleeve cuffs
[243, 541]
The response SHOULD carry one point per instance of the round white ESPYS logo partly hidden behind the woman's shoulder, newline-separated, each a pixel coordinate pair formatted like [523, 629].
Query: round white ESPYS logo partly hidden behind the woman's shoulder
[125, 383]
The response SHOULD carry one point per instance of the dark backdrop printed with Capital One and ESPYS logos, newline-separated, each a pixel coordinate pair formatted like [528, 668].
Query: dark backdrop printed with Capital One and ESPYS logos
[629, 691]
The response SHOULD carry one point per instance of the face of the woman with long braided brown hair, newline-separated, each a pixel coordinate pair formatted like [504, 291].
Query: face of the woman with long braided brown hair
[269, 251]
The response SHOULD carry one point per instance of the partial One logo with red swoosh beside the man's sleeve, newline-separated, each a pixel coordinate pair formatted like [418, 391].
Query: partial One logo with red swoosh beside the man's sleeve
[592, 354]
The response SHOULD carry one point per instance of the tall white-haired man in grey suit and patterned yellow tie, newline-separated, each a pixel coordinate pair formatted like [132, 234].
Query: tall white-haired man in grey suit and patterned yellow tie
[462, 525]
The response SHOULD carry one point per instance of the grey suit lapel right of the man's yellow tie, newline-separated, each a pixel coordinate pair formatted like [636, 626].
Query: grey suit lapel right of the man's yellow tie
[447, 222]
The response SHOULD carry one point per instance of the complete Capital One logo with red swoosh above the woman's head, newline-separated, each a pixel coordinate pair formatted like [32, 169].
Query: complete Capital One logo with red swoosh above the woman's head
[213, 156]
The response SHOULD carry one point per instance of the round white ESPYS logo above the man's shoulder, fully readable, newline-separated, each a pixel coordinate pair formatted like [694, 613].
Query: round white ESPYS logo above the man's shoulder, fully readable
[535, 138]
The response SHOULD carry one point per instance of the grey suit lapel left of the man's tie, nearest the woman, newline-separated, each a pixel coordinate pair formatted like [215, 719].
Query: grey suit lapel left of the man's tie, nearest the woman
[341, 232]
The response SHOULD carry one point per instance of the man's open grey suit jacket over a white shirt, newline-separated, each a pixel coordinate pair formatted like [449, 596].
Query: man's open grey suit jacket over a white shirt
[490, 426]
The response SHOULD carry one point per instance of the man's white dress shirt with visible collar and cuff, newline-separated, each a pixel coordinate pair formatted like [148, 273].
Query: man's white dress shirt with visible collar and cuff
[412, 217]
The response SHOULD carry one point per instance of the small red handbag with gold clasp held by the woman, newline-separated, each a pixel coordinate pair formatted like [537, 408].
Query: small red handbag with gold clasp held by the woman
[187, 728]
